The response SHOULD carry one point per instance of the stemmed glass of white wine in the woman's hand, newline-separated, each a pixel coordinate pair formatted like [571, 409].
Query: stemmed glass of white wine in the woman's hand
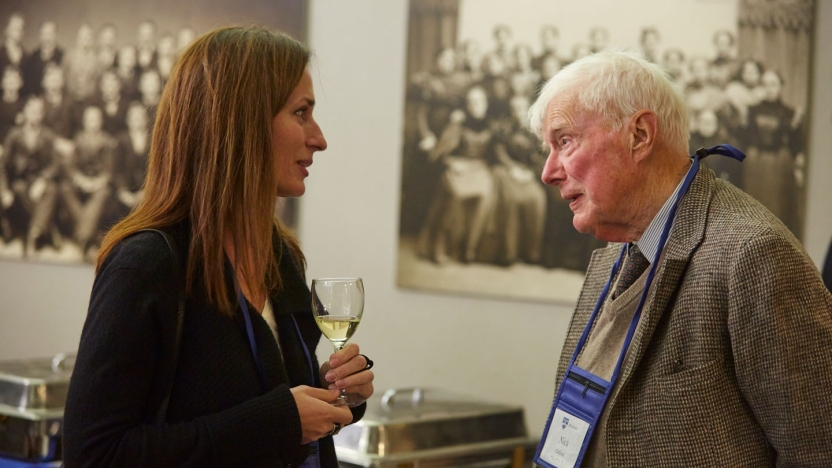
[337, 304]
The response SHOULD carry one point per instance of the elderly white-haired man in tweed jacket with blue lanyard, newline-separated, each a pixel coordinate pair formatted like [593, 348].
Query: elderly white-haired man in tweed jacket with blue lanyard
[703, 334]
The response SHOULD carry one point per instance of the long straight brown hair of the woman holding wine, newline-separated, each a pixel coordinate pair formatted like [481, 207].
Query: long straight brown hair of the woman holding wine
[211, 157]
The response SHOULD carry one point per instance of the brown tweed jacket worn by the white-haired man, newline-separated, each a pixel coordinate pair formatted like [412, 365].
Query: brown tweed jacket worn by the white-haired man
[732, 364]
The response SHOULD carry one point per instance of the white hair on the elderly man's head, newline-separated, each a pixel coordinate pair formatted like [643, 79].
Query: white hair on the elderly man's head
[616, 84]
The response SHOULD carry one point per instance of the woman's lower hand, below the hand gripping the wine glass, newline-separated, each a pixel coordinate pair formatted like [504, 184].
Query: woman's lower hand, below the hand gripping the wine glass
[317, 415]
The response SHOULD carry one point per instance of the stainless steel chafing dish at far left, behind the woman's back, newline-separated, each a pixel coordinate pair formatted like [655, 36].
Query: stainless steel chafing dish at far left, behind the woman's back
[32, 398]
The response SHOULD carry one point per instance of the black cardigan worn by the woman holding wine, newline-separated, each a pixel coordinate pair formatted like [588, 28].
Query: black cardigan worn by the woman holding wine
[219, 414]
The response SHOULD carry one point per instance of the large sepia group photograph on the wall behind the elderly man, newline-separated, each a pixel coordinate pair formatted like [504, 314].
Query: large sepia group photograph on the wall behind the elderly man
[475, 217]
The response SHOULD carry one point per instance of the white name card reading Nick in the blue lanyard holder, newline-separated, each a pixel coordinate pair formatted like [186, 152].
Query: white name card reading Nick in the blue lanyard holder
[564, 440]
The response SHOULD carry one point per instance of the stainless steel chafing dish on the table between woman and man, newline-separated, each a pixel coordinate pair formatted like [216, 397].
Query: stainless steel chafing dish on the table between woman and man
[430, 428]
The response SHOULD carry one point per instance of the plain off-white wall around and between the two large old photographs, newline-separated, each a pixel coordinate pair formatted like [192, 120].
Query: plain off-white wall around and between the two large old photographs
[502, 351]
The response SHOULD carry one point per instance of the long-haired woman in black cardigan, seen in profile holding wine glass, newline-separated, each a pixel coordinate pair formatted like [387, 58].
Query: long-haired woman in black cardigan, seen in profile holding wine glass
[234, 130]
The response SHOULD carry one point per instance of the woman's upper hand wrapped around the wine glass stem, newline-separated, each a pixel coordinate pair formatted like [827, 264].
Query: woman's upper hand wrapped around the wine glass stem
[348, 370]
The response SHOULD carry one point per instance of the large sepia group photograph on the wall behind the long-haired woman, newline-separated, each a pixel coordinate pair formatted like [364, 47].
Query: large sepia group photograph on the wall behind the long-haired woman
[81, 80]
